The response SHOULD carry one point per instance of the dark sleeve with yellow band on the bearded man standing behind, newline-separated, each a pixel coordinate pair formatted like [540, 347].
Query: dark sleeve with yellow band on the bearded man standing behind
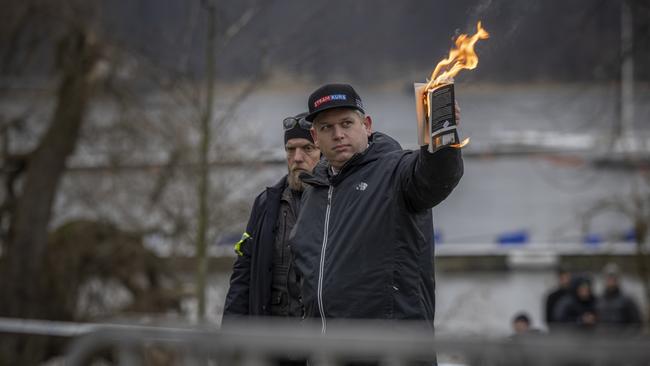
[237, 299]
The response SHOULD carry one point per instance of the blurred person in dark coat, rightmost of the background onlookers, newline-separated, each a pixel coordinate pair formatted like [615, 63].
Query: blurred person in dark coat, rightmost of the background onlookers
[616, 311]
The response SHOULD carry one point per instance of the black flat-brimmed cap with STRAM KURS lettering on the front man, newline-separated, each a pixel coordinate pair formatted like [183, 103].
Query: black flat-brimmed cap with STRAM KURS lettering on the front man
[333, 96]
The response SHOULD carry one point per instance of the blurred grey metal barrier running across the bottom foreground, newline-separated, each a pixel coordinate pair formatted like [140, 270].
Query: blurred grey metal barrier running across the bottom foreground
[268, 342]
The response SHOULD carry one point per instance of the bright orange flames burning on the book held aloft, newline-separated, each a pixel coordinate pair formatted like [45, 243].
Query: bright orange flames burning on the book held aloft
[461, 57]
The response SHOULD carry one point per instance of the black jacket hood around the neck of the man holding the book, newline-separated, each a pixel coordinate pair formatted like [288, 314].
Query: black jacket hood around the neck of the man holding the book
[378, 144]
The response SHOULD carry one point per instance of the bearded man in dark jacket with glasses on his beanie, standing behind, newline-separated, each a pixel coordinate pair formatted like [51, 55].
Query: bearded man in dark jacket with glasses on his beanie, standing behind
[263, 282]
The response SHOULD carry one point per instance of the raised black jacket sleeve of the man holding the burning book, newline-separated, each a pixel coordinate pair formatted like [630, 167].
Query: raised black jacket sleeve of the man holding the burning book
[428, 178]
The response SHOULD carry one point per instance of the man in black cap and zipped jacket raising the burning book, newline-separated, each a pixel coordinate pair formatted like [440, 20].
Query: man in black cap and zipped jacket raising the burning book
[363, 240]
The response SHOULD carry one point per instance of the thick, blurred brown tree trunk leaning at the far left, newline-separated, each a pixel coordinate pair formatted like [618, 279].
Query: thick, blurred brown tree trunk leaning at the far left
[22, 266]
